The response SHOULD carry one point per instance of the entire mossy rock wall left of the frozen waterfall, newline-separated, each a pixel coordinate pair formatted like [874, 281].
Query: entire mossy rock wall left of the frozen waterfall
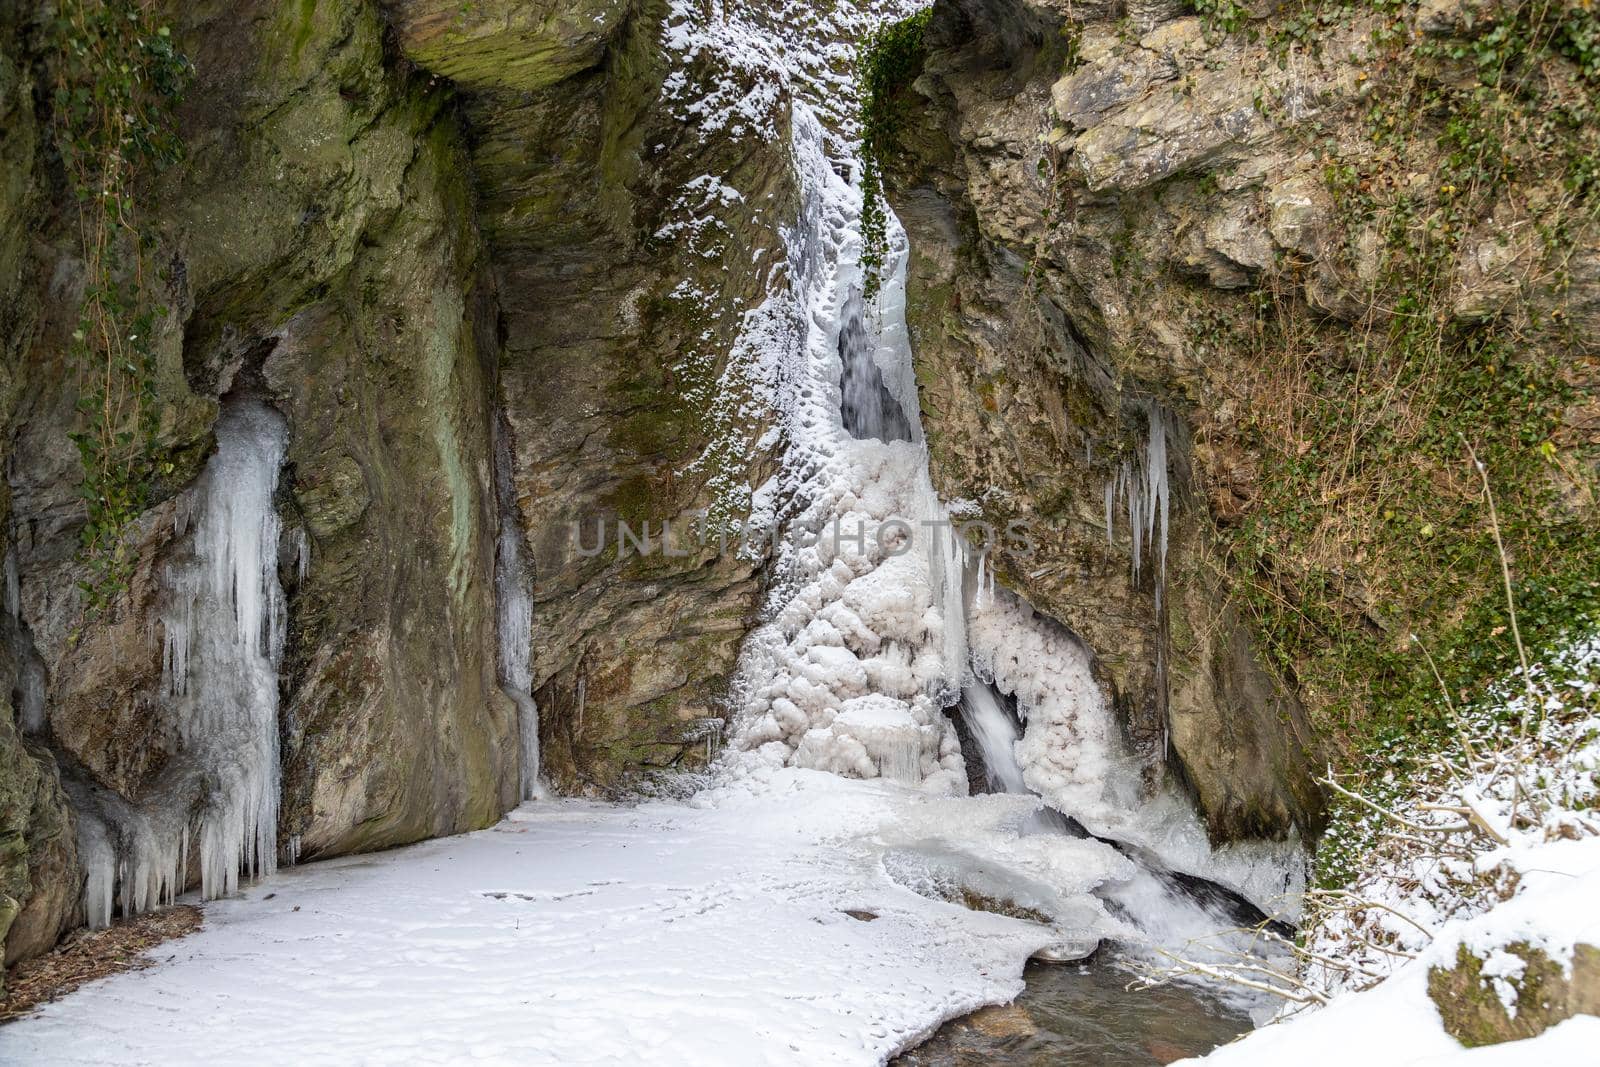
[471, 262]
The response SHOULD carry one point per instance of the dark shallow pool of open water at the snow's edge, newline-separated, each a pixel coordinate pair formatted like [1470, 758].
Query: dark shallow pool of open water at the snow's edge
[1078, 1015]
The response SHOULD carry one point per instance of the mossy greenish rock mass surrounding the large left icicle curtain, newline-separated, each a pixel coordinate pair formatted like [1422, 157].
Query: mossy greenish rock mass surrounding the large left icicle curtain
[318, 252]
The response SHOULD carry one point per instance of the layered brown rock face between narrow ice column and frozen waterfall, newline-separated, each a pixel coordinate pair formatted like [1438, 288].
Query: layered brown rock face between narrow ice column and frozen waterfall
[630, 242]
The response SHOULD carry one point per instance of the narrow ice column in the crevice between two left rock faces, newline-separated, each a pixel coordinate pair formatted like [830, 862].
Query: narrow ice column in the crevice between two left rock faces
[514, 620]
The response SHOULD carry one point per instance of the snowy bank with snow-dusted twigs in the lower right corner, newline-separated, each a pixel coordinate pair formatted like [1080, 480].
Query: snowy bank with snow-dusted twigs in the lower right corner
[1490, 845]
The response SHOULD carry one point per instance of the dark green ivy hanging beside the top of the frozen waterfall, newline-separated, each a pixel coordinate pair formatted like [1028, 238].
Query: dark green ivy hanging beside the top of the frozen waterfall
[890, 58]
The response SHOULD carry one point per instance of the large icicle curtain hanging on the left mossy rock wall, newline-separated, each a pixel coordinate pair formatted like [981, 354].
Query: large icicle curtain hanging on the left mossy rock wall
[223, 620]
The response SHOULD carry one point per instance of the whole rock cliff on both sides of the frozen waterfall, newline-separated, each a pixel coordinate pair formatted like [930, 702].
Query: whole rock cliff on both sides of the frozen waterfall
[498, 268]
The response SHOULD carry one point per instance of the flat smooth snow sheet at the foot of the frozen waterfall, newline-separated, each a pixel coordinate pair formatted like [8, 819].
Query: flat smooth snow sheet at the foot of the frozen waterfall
[713, 932]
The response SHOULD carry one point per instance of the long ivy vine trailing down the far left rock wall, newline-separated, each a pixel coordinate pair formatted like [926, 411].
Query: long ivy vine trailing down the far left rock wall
[118, 76]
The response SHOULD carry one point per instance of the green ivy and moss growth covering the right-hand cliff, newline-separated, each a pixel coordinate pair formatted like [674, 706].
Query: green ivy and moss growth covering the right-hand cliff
[1369, 538]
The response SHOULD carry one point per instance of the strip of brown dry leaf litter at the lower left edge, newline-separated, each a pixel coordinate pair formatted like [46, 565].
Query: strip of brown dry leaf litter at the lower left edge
[89, 956]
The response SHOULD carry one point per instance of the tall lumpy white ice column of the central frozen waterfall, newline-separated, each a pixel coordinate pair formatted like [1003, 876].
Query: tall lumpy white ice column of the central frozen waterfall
[852, 671]
